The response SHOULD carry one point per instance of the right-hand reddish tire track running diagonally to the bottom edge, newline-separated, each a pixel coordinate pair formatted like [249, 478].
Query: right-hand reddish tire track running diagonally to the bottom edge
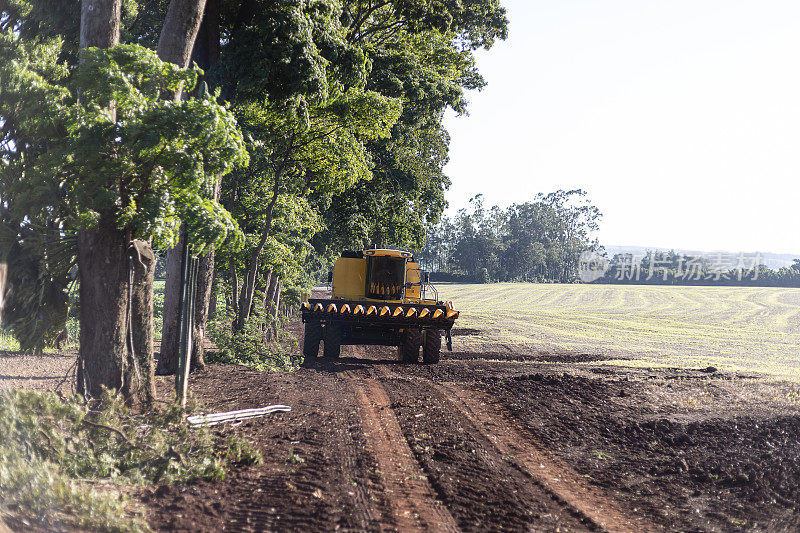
[566, 485]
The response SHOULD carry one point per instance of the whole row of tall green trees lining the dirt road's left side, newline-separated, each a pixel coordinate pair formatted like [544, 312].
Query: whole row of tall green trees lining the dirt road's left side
[265, 136]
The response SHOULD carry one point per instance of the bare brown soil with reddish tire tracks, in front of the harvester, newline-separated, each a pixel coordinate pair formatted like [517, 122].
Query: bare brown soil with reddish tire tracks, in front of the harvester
[530, 441]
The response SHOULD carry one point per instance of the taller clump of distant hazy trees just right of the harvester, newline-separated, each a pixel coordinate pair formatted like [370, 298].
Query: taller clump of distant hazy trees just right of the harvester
[536, 241]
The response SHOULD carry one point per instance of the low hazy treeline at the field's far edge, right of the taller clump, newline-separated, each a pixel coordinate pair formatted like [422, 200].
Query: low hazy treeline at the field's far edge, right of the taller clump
[672, 268]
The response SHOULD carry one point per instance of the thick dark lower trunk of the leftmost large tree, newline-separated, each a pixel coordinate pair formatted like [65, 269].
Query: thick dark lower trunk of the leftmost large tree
[103, 267]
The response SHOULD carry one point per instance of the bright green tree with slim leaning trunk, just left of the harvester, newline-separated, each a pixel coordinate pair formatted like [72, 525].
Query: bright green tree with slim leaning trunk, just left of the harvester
[320, 154]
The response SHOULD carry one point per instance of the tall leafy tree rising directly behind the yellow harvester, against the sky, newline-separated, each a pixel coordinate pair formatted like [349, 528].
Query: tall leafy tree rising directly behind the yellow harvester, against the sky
[422, 53]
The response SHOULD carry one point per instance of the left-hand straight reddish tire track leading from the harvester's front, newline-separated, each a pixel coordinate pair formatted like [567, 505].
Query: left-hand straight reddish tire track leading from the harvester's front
[412, 501]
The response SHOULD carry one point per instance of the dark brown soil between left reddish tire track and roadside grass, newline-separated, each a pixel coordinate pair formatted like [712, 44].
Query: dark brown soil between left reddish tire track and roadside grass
[317, 474]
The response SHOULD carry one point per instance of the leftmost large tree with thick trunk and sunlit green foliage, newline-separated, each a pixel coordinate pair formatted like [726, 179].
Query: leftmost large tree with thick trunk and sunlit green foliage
[121, 167]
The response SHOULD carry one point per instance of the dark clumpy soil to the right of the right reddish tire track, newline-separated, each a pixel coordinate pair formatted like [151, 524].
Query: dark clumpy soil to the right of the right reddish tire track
[700, 472]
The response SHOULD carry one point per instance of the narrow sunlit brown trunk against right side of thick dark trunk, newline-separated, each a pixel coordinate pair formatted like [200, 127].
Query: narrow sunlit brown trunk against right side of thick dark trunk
[144, 269]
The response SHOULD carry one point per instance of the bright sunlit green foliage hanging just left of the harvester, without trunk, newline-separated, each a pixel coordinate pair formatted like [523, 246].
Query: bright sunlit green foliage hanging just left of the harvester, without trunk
[298, 161]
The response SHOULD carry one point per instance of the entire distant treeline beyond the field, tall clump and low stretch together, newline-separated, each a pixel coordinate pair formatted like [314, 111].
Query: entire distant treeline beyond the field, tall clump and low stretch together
[549, 240]
